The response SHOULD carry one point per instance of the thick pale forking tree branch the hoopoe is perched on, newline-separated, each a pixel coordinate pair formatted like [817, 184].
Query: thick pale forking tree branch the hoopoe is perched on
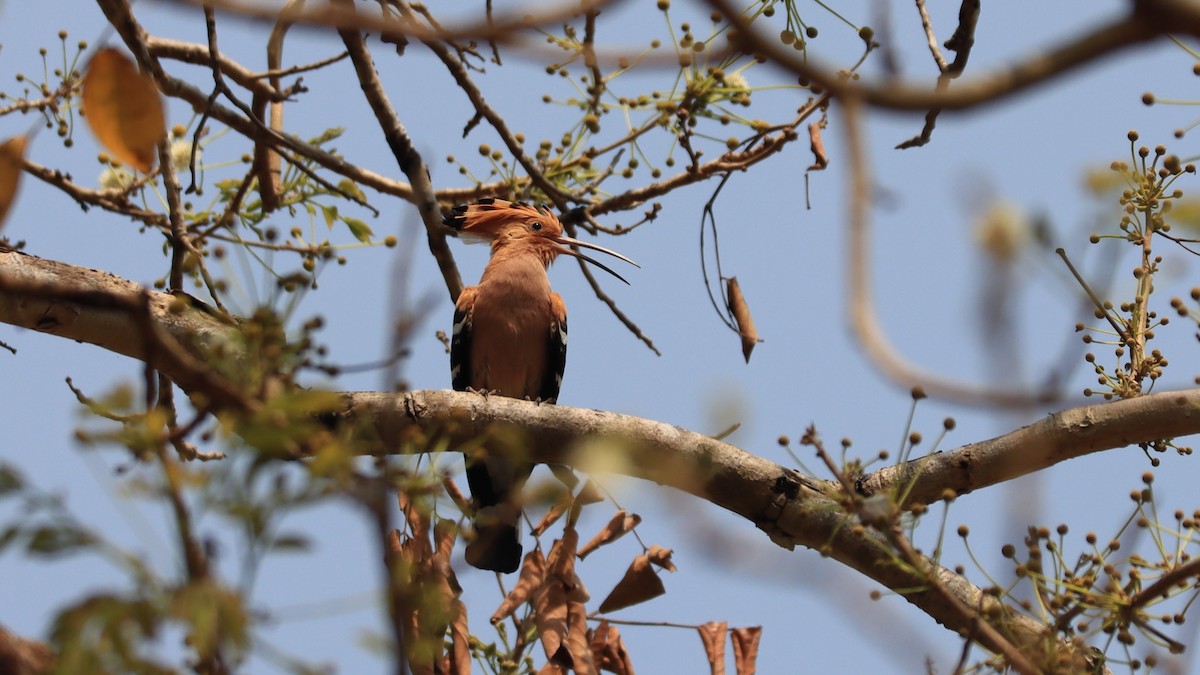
[791, 509]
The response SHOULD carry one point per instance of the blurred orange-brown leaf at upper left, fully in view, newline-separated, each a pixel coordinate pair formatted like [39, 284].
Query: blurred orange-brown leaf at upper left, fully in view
[124, 109]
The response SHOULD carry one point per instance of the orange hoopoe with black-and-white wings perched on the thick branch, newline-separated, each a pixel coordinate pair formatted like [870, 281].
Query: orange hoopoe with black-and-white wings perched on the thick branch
[509, 339]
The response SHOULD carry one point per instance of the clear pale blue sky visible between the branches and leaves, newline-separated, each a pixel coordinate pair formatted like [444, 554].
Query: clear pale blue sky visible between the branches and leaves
[1031, 151]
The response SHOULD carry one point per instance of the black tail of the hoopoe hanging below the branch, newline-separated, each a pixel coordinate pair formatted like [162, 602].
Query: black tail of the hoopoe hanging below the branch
[495, 489]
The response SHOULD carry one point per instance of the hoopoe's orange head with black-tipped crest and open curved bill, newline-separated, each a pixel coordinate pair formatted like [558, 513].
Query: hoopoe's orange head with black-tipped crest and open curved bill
[520, 226]
